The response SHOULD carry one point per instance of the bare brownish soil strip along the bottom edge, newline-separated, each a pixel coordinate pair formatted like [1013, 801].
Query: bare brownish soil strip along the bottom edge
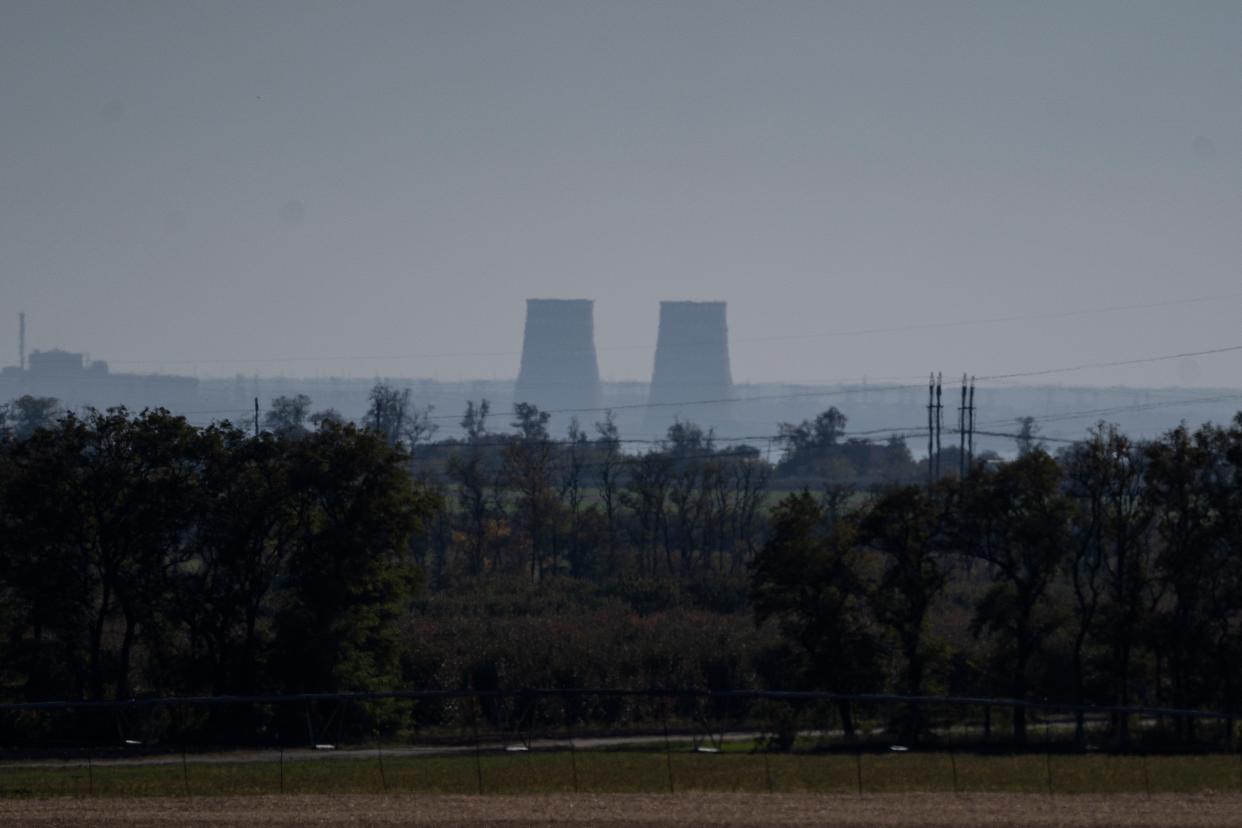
[706, 810]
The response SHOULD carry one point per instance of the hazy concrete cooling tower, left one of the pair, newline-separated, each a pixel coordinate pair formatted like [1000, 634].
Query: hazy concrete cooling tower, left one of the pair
[558, 357]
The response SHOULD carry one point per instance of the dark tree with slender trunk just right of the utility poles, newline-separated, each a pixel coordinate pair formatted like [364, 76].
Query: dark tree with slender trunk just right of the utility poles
[1017, 522]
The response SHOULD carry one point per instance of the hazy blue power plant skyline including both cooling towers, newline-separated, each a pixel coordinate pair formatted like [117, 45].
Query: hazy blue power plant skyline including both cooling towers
[561, 373]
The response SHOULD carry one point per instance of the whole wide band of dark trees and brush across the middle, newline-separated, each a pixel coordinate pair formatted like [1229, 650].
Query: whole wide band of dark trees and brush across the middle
[143, 556]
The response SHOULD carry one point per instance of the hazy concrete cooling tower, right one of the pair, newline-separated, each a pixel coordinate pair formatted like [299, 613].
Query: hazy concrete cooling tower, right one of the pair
[692, 363]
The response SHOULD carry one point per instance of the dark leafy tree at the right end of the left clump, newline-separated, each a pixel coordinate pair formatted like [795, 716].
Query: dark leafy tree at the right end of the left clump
[350, 575]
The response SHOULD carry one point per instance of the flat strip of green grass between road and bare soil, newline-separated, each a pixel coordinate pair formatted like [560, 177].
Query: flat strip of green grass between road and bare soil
[637, 772]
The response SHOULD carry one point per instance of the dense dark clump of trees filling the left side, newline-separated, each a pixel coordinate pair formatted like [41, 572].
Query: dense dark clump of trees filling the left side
[140, 553]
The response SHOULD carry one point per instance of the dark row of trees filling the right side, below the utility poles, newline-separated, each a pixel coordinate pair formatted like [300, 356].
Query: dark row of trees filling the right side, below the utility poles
[1111, 573]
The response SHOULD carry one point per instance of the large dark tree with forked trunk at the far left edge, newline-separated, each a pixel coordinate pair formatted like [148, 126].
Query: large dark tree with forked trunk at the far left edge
[100, 510]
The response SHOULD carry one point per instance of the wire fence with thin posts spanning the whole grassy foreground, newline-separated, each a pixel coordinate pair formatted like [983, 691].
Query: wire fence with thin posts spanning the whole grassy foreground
[599, 740]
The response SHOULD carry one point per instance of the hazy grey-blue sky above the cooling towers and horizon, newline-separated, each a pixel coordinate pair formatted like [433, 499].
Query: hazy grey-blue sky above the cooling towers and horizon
[376, 188]
